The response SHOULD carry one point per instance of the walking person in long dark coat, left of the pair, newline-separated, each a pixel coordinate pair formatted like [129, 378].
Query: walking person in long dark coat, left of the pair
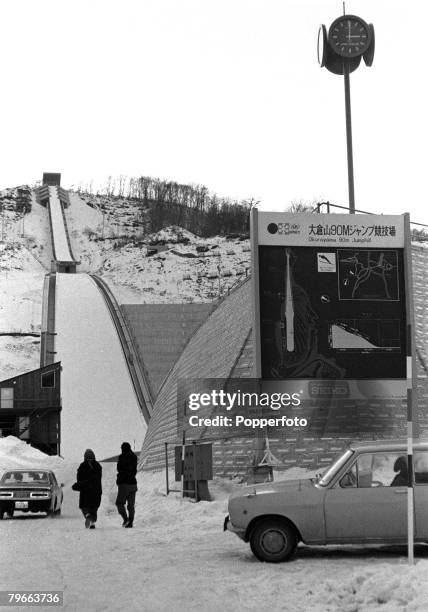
[89, 476]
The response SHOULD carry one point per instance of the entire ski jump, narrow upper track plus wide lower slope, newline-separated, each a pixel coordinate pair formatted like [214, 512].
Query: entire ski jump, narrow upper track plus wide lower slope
[105, 400]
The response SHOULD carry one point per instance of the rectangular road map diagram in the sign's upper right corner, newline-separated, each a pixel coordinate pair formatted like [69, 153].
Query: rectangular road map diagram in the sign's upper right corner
[368, 275]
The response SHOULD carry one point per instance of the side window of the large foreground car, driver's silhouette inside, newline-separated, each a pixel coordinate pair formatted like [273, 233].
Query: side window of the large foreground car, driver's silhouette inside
[382, 469]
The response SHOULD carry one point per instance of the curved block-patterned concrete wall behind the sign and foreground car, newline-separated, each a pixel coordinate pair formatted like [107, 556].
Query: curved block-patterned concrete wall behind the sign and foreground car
[223, 347]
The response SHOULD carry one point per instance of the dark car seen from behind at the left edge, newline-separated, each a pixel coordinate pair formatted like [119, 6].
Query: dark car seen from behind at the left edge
[30, 490]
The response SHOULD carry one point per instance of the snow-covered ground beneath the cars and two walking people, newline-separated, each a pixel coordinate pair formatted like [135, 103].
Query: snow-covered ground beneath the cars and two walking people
[178, 558]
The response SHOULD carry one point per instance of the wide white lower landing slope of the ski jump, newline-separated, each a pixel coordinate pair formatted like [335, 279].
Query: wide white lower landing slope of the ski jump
[100, 406]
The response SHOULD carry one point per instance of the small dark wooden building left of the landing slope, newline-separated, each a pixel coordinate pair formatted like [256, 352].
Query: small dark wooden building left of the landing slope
[30, 406]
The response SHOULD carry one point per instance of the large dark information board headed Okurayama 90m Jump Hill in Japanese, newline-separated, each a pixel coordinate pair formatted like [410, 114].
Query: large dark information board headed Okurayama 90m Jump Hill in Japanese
[330, 298]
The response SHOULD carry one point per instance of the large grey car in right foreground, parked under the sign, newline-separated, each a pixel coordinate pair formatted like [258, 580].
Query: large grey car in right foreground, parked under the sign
[360, 499]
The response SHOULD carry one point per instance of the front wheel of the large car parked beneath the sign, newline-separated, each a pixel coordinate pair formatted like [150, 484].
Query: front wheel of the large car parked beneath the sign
[273, 540]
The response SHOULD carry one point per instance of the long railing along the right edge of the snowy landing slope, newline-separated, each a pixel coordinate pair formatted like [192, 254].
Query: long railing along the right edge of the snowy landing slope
[138, 376]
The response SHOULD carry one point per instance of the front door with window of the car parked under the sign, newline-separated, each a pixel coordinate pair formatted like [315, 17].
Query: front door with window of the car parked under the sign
[365, 505]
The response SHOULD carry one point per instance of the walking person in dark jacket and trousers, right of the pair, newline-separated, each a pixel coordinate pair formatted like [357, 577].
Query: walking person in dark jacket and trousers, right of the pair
[127, 484]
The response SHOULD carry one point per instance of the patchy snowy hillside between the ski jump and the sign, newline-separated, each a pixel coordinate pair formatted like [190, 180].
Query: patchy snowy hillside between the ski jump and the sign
[116, 249]
